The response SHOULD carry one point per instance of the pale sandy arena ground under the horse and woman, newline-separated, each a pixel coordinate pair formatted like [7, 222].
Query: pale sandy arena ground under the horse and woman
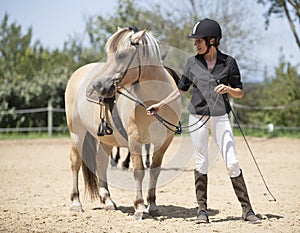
[36, 182]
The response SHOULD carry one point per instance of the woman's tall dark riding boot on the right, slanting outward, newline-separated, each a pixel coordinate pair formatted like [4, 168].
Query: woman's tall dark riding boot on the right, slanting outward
[240, 190]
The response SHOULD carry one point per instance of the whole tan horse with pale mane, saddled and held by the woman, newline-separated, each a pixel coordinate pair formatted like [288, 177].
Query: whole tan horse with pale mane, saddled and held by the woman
[134, 76]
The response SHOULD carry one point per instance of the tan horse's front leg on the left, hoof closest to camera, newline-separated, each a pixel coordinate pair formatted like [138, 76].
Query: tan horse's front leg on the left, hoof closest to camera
[141, 211]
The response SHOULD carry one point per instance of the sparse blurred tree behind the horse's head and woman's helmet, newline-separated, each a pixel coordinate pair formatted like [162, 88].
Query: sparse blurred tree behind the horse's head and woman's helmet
[172, 24]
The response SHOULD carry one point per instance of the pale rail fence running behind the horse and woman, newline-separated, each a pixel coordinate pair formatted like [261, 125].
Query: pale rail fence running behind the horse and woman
[50, 128]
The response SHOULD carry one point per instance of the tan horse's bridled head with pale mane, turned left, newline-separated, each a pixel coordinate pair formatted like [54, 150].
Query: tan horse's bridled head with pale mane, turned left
[128, 51]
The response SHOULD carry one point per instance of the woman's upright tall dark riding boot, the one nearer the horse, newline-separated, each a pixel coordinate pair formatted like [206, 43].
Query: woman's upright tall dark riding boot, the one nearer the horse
[201, 196]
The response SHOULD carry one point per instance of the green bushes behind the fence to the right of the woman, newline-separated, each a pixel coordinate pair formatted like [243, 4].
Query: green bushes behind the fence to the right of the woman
[281, 91]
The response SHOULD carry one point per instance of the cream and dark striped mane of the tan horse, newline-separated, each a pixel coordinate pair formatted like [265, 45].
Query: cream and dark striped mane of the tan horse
[121, 40]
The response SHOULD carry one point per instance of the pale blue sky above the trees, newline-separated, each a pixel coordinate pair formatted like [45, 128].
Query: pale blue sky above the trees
[54, 21]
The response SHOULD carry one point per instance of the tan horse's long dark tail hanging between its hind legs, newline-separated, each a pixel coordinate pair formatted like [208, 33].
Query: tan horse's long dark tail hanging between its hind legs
[89, 166]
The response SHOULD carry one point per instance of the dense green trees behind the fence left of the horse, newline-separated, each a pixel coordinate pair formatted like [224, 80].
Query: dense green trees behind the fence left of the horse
[30, 76]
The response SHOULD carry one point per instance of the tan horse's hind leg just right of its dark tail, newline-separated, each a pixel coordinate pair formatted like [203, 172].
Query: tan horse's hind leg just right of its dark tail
[102, 164]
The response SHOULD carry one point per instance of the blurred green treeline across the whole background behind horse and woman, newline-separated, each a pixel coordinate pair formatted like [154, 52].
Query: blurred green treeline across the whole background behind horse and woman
[31, 75]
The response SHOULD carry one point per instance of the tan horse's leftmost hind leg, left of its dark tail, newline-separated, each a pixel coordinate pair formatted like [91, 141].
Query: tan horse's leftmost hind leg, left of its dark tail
[76, 163]
